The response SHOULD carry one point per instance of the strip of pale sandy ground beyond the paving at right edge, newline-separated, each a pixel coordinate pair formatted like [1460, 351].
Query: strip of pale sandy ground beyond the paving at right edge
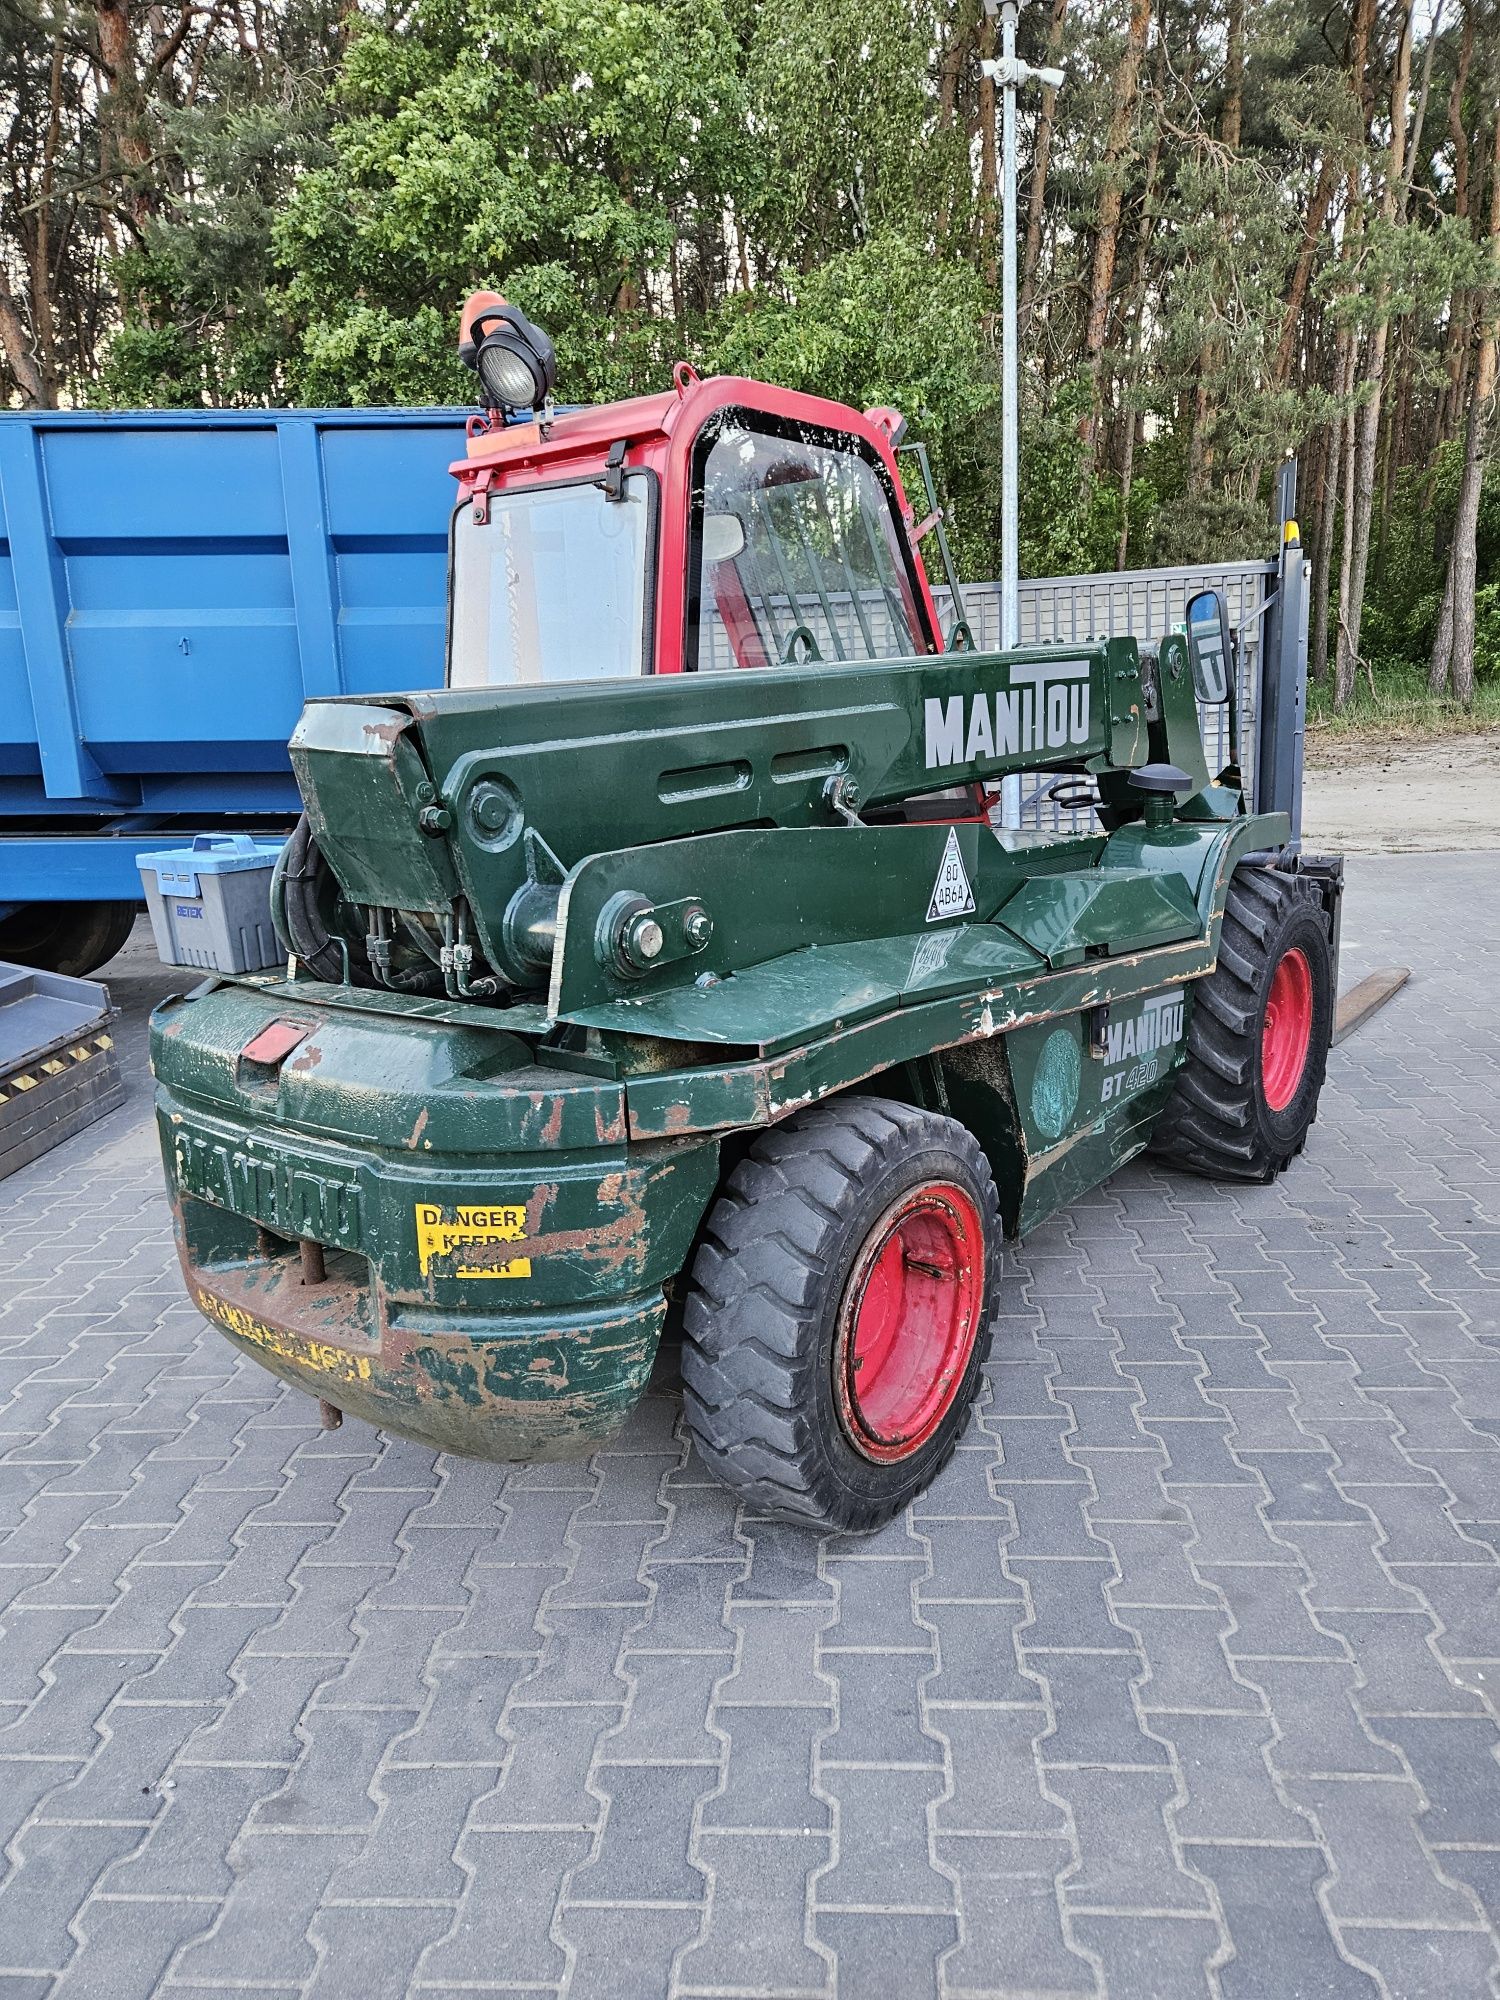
[1403, 797]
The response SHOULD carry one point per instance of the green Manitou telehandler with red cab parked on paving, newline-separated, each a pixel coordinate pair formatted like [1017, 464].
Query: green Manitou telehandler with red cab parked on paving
[667, 965]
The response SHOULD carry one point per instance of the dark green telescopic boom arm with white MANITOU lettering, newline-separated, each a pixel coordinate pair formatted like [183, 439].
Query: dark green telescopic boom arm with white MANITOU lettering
[491, 799]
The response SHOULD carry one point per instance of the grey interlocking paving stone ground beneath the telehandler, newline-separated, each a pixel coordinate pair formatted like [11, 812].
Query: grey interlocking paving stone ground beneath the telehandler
[1181, 1681]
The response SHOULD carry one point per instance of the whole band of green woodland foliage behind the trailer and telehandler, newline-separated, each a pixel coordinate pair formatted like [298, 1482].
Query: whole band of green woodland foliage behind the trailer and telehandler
[803, 191]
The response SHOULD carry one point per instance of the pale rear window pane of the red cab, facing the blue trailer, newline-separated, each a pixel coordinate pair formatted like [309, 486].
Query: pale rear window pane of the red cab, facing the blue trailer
[553, 587]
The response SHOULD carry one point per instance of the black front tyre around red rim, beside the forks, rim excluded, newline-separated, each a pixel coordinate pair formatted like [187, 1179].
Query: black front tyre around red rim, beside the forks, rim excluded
[1221, 1119]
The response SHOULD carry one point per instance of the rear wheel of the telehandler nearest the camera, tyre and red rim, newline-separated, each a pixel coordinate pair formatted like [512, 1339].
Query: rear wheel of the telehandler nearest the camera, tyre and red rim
[841, 1311]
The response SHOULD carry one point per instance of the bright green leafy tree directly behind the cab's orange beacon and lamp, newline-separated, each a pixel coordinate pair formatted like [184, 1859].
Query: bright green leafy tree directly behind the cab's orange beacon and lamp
[555, 153]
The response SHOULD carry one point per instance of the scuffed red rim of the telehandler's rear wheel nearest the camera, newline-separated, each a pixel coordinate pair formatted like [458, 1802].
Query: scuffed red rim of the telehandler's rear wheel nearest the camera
[909, 1321]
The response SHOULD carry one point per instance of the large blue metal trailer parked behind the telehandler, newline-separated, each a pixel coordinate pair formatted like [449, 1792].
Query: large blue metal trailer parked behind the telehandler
[173, 587]
